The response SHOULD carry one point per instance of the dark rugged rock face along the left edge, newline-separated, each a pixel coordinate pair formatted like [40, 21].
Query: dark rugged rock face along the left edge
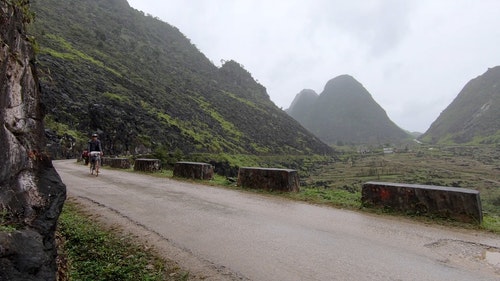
[31, 192]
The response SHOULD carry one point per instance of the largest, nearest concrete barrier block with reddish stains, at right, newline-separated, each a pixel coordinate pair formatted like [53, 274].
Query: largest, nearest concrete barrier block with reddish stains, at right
[461, 204]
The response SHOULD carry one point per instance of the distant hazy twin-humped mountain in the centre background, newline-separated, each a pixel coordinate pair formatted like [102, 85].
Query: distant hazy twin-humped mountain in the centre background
[345, 113]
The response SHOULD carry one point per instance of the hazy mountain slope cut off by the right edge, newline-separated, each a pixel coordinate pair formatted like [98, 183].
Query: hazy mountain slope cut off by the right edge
[473, 116]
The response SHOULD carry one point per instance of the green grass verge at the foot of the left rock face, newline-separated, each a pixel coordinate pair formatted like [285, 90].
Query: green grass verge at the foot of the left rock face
[94, 252]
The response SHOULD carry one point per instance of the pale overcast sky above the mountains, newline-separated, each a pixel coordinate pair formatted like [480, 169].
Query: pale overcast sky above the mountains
[413, 56]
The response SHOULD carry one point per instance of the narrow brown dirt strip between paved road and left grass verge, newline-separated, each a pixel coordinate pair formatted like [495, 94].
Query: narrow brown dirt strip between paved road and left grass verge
[175, 256]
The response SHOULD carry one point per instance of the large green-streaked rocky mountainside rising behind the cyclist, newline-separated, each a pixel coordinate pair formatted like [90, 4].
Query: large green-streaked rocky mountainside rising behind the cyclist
[142, 85]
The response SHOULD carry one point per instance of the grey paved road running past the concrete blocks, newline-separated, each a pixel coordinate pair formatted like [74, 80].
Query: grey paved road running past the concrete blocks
[265, 238]
